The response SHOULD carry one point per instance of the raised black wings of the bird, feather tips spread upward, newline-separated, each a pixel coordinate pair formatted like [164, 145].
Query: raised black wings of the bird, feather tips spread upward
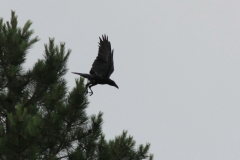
[103, 64]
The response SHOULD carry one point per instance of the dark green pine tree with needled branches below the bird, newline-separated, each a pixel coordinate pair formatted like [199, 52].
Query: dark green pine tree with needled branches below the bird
[39, 118]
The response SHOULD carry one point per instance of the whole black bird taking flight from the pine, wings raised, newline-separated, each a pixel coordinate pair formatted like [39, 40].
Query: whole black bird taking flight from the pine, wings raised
[102, 67]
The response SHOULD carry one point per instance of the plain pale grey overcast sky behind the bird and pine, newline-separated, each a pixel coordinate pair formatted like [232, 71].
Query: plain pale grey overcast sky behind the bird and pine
[177, 64]
